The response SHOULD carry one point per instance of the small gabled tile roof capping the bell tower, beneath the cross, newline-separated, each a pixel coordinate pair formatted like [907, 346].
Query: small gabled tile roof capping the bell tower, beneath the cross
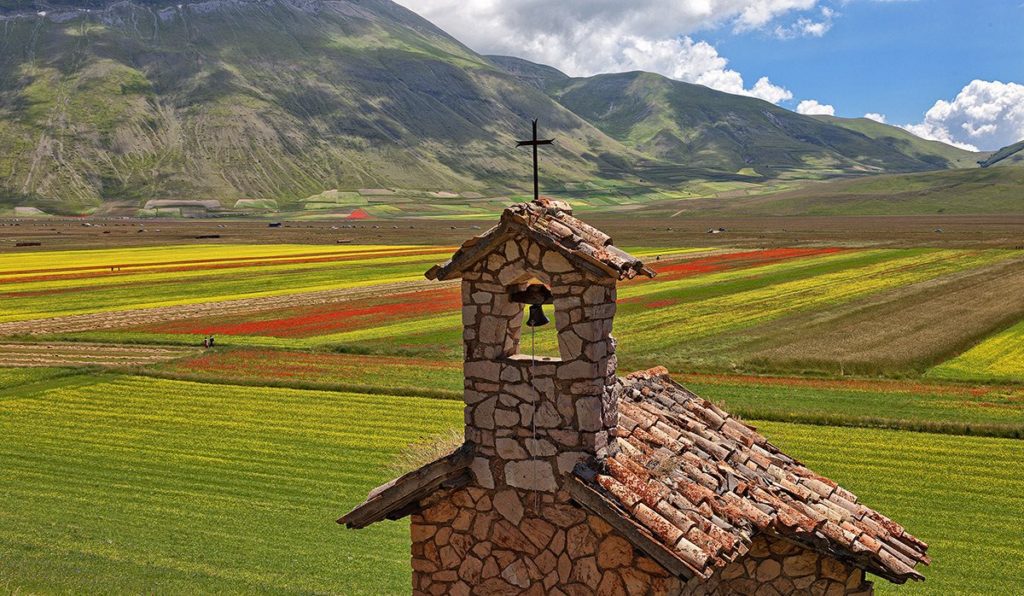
[551, 224]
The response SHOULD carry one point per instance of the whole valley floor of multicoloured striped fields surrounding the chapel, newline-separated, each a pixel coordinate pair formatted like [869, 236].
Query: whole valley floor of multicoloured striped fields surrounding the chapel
[137, 461]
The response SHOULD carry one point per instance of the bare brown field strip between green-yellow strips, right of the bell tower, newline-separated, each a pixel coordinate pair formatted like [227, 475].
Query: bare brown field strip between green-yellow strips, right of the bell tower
[908, 328]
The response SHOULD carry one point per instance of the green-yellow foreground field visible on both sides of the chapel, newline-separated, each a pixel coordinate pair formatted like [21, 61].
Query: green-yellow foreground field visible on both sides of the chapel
[176, 487]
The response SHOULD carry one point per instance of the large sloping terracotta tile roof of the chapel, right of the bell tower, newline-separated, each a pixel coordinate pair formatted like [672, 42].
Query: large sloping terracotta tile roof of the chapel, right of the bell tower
[703, 484]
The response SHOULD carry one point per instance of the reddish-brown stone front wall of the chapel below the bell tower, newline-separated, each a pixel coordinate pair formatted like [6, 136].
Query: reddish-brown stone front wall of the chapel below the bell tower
[517, 542]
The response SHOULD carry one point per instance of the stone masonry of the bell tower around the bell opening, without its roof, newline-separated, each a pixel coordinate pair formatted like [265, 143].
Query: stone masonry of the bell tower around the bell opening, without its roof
[532, 422]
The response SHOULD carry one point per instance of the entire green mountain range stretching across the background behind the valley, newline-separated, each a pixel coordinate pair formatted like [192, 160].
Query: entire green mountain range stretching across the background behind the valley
[125, 103]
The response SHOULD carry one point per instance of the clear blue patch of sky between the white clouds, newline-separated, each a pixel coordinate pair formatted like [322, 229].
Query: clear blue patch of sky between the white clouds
[890, 58]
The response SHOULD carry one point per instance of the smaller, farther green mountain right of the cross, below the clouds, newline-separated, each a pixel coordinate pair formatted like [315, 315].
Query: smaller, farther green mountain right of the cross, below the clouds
[700, 127]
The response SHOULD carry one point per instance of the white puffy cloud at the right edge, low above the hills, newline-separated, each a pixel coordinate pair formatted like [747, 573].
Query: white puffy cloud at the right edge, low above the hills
[989, 115]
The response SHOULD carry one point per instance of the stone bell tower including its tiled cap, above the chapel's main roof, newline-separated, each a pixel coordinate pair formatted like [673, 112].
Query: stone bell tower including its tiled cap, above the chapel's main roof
[533, 420]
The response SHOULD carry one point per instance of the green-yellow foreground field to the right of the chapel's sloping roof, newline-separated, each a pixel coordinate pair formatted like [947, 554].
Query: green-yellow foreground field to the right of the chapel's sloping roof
[960, 495]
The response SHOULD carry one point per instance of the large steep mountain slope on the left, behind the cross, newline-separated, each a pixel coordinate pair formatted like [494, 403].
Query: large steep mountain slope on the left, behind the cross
[277, 100]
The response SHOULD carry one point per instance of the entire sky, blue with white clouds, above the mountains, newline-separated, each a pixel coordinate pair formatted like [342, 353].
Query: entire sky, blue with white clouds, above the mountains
[948, 70]
